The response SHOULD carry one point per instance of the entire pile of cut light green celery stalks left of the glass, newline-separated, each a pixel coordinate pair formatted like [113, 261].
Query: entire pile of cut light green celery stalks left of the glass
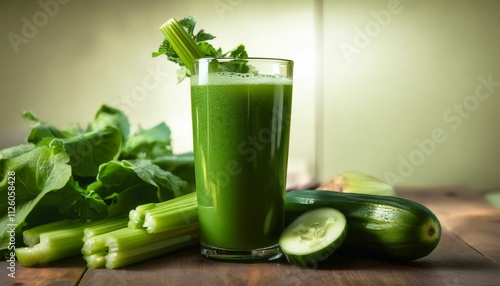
[110, 242]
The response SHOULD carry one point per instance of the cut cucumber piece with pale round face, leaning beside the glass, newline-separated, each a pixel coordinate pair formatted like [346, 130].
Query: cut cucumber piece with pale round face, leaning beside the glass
[313, 236]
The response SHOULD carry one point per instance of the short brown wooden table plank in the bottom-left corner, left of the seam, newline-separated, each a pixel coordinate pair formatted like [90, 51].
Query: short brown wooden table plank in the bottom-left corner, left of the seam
[64, 272]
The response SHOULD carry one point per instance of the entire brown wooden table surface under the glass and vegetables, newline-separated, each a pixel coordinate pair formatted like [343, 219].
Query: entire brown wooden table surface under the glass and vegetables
[468, 254]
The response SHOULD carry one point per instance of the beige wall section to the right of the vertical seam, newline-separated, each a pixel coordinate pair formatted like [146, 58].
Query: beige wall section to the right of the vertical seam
[404, 91]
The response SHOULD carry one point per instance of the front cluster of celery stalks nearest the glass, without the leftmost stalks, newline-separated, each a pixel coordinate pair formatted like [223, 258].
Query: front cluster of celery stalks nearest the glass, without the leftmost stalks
[153, 230]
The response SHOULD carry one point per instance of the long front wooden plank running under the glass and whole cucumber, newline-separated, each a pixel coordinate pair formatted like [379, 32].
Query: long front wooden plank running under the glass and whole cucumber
[452, 263]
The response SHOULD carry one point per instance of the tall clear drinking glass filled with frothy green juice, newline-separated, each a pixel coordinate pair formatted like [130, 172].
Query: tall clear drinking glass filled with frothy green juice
[241, 129]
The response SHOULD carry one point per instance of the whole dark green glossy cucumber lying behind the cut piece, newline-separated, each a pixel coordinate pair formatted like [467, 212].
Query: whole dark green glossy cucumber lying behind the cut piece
[386, 227]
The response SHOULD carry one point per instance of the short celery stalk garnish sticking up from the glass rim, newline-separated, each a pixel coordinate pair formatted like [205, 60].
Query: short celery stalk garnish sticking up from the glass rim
[185, 47]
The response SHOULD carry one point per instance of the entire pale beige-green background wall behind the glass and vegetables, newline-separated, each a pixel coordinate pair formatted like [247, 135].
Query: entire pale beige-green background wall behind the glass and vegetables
[391, 88]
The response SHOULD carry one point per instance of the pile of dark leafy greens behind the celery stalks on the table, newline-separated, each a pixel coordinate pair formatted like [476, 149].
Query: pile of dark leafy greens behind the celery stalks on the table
[88, 174]
